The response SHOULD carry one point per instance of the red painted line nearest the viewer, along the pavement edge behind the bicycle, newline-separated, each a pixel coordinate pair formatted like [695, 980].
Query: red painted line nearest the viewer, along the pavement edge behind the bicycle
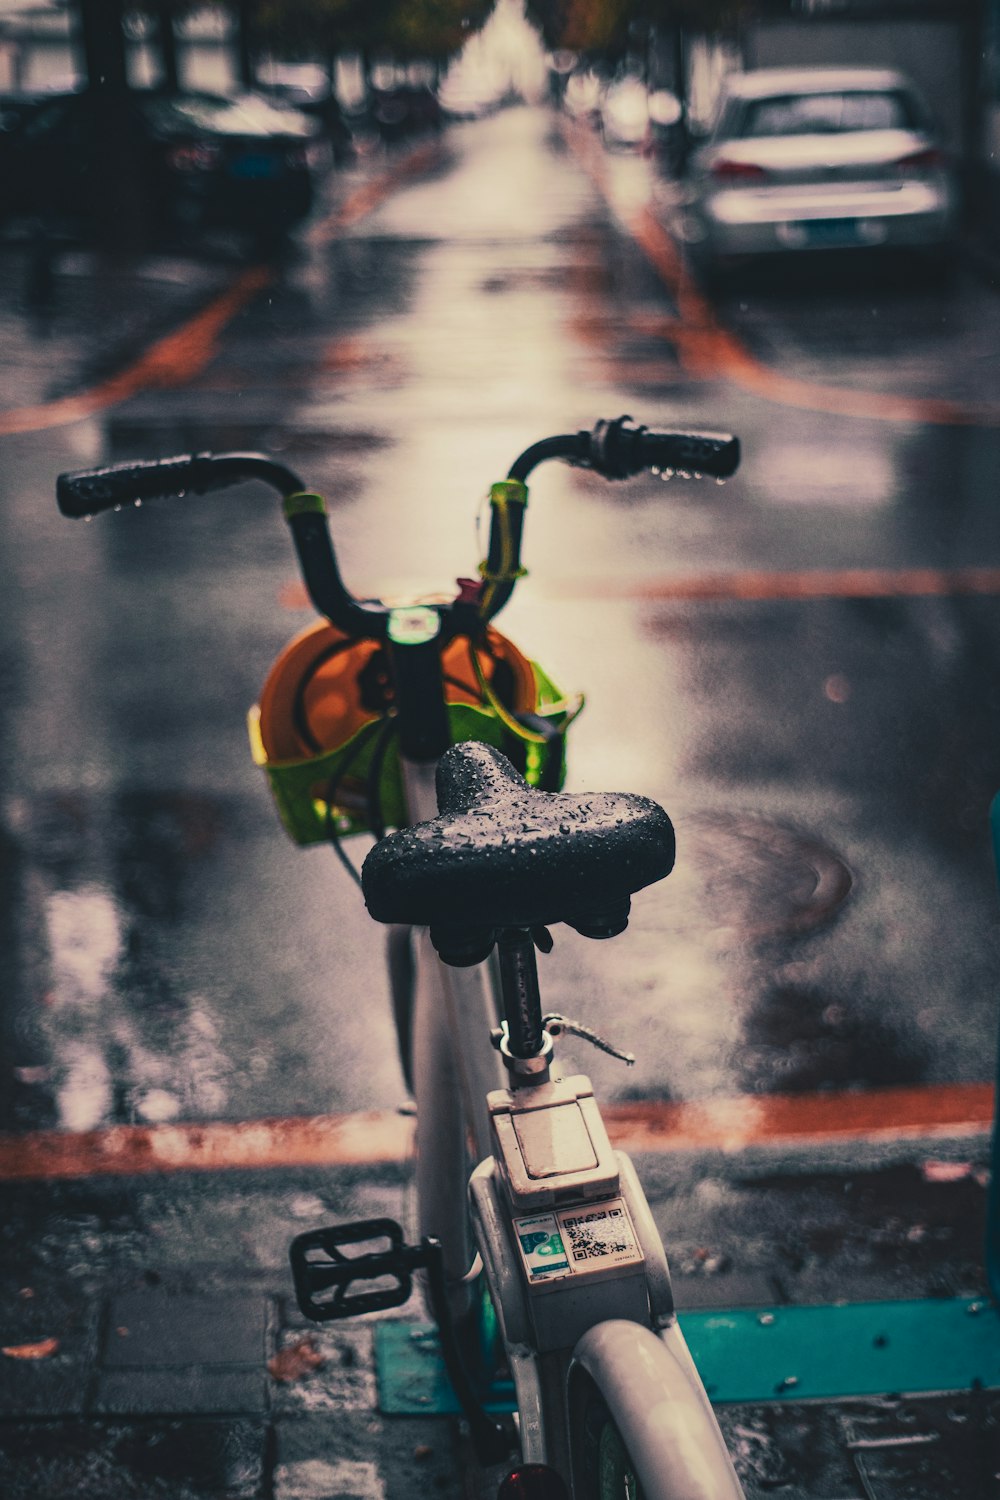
[383, 1136]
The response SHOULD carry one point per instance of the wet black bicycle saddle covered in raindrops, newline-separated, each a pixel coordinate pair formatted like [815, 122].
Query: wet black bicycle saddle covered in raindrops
[501, 854]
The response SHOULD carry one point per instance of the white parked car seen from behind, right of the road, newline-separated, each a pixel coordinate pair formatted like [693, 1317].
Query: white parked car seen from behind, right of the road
[819, 160]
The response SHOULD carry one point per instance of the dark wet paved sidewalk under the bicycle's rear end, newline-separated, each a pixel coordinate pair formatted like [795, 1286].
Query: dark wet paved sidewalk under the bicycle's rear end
[170, 1360]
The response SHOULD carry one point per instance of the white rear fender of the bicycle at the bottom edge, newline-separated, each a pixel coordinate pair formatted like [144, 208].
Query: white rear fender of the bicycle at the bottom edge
[641, 1424]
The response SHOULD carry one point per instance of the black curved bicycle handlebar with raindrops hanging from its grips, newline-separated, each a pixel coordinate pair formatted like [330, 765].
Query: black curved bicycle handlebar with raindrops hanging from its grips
[612, 449]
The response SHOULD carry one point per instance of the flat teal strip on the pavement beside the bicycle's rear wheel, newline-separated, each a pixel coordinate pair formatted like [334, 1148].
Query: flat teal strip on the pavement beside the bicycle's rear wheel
[858, 1349]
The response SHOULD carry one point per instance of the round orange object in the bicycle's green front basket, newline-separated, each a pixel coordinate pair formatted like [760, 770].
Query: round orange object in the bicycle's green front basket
[325, 688]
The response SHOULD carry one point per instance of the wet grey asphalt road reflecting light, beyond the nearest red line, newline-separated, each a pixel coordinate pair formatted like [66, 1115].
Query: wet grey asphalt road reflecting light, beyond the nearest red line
[830, 761]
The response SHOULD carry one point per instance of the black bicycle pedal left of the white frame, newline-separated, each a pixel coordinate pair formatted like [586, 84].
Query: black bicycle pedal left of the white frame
[325, 1276]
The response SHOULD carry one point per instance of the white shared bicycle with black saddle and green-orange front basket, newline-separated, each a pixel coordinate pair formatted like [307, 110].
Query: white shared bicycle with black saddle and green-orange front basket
[551, 1265]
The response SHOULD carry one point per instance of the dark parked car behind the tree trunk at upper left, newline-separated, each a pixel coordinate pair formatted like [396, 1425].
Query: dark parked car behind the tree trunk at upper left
[203, 161]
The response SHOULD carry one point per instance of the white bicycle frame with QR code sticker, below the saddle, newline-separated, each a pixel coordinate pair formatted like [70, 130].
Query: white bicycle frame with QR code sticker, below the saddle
[629, 1345]
